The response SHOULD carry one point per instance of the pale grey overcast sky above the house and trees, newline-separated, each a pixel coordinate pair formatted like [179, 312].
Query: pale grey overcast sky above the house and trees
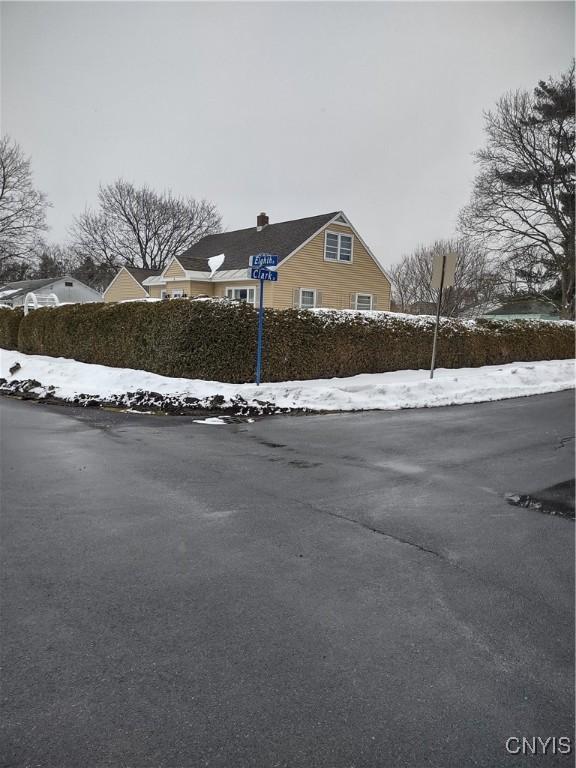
[291, 108]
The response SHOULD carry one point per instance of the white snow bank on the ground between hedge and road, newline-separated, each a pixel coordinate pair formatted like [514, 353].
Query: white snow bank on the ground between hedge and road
[67, 379]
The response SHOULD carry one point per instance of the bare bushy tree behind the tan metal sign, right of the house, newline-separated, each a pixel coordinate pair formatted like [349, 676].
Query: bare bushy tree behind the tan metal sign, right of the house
[474, 281]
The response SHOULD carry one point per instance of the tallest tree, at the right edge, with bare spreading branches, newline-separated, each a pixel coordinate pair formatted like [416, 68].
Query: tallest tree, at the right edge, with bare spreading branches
[522, 203]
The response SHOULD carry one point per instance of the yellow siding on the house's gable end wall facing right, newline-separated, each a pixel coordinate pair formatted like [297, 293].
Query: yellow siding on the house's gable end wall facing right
[336, 281]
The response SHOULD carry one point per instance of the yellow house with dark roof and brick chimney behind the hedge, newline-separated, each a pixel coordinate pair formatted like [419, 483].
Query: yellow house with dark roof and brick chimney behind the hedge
[323, 262]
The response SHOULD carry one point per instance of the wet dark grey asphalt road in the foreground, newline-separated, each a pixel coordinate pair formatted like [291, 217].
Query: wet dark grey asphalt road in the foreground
[343, 591]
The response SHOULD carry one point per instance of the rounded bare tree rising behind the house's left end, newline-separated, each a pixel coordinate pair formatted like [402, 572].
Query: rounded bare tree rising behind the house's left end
[140, 227]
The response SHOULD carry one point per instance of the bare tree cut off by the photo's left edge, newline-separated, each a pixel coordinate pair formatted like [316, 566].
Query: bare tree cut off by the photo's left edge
[22, 207]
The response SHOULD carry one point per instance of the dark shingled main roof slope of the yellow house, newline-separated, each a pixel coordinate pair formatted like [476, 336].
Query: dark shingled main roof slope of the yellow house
[279, 239]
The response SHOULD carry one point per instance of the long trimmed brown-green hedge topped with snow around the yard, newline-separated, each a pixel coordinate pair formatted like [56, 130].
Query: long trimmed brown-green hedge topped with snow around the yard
[216, 339]
